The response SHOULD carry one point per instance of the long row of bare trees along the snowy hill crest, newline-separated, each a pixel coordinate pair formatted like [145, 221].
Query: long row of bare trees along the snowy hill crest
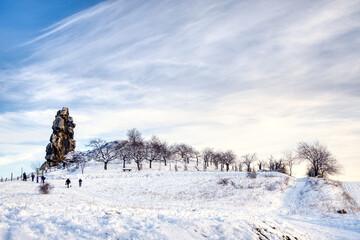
[135, 148]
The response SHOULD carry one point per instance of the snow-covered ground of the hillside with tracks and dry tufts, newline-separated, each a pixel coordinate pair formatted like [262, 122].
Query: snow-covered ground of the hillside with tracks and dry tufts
[163, 204]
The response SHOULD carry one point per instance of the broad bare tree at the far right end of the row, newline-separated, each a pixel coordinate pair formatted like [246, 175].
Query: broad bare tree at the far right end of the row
[320, 159]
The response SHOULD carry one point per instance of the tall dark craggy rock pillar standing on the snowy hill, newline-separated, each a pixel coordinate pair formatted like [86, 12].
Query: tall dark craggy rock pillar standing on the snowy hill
[62, 139]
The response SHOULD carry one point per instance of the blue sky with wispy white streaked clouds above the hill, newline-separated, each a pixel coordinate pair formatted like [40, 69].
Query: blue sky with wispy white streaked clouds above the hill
[251, 76]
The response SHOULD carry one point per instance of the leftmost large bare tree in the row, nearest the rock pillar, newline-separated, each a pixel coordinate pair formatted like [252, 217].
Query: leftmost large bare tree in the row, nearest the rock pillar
[102, 151]
